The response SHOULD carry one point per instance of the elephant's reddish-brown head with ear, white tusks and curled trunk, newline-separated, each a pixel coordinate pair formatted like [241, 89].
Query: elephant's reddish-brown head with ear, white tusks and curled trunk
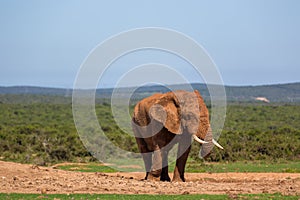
[185, 112]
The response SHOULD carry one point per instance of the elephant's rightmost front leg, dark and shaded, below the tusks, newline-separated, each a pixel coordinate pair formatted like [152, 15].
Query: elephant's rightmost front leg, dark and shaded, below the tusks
[182, 155]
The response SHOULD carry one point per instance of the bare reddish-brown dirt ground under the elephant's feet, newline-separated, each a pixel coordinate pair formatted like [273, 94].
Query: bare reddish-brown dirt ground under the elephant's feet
[22, 178]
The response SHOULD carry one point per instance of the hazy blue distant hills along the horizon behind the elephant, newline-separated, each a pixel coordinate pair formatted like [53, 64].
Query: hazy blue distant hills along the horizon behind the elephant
[274, 93]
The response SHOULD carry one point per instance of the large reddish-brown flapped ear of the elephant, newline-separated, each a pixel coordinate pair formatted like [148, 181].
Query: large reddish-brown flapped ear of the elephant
[166, 110]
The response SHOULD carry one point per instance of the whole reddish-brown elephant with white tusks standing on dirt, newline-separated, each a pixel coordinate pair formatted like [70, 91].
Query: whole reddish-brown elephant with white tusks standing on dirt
[163, 120]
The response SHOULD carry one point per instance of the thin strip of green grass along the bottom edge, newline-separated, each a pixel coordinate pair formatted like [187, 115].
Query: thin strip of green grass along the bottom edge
[125, 197]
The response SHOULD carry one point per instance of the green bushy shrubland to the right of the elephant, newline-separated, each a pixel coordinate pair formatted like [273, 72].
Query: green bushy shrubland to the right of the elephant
[259, 132]
